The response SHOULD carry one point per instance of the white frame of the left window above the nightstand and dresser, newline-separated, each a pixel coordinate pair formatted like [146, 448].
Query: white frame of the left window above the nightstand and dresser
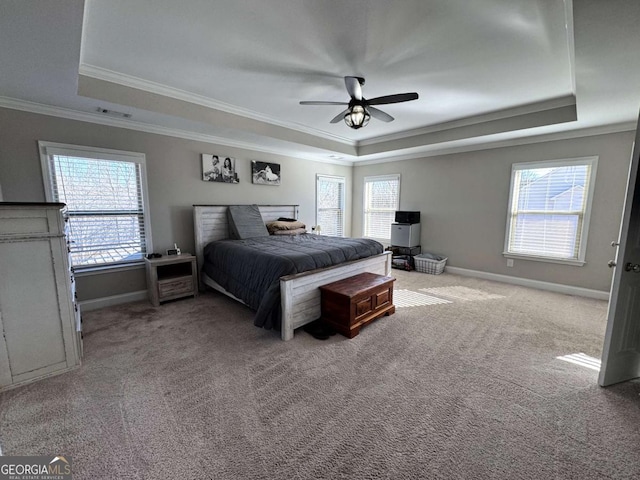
[48, 149]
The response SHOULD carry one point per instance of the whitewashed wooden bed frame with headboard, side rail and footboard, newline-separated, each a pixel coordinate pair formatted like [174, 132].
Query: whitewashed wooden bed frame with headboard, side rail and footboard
[300, 294]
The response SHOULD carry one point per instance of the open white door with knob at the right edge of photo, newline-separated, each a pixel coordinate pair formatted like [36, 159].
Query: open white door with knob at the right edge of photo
[621, 353]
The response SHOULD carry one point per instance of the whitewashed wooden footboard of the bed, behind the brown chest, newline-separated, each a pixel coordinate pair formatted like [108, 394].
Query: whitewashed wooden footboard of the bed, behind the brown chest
[301, 296]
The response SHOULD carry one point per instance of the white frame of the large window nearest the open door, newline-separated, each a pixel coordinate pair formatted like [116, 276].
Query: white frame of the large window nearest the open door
[592, 162]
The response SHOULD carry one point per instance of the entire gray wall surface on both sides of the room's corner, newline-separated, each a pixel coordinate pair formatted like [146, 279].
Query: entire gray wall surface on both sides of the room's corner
[463, 197]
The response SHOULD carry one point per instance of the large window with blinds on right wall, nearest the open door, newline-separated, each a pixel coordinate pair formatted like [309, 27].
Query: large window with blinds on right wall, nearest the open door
[549, 210]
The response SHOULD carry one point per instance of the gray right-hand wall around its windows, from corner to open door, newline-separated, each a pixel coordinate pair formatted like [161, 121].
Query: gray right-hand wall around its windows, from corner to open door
[463, 199]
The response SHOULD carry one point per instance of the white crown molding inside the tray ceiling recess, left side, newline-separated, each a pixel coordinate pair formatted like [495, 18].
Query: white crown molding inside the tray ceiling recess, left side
[130, 81]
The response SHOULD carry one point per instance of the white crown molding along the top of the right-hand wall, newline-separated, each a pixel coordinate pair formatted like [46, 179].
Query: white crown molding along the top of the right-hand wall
[514, 142]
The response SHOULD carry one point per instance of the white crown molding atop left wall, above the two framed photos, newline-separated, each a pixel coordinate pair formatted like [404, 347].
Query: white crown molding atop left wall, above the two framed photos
[42, 109]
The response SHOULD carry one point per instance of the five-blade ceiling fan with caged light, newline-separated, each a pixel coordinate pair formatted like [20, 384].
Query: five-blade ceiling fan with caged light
[359, 109]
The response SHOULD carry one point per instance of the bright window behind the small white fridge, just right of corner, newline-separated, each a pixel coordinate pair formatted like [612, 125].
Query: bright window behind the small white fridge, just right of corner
[381, 200]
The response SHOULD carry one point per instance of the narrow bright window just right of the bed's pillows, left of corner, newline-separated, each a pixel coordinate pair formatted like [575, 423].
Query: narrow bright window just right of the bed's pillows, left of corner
[330, 205]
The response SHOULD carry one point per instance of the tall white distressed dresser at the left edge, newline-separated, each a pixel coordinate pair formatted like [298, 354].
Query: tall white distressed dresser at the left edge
[39, 316]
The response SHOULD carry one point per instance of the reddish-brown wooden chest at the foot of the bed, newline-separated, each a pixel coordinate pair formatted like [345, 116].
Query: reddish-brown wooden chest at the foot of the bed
[353, 302]
